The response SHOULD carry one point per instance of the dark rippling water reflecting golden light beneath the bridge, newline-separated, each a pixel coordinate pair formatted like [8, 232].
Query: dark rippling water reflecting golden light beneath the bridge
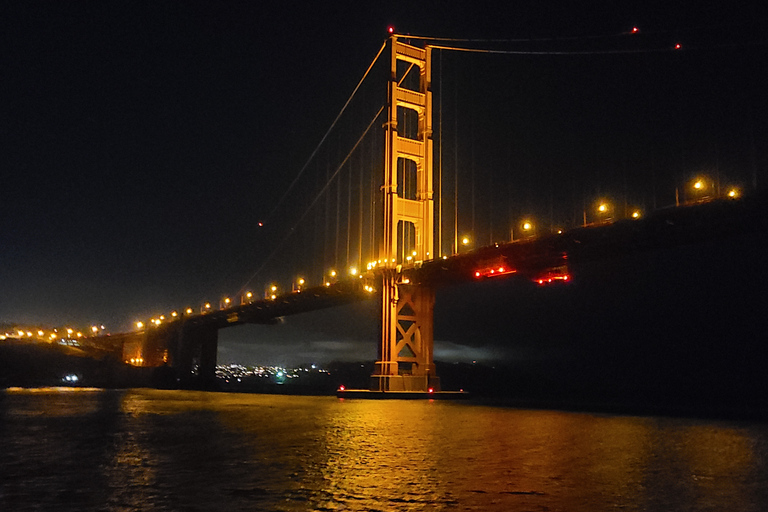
[174, 450]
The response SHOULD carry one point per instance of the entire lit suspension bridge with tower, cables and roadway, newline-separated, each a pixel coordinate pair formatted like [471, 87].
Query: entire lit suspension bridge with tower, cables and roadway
[384, 220]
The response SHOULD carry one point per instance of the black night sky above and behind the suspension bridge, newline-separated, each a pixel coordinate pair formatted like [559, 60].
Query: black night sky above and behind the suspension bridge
[142, 142]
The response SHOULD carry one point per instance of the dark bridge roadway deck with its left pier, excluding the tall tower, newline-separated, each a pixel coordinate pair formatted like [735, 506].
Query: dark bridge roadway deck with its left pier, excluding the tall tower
[180, 342]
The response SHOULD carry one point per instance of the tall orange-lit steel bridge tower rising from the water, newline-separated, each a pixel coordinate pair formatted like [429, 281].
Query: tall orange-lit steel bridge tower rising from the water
[405, 354]
